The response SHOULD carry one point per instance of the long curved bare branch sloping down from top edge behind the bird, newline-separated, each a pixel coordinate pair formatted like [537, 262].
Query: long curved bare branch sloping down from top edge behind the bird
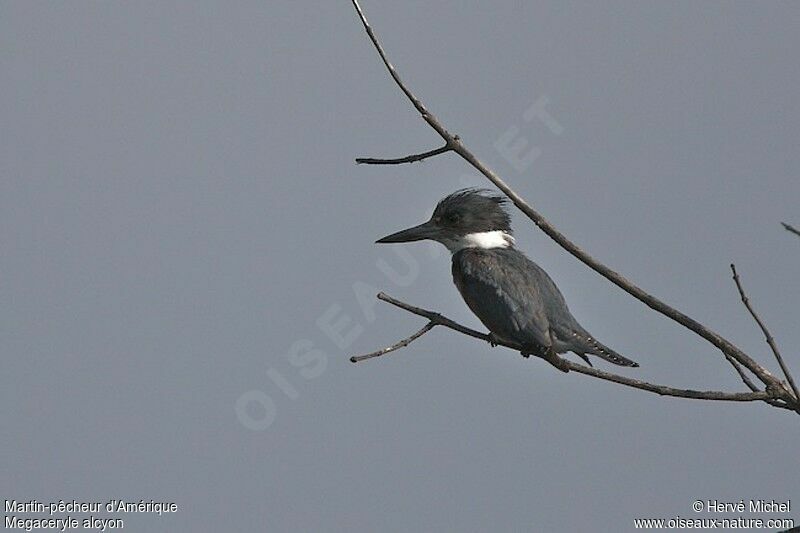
[651, 301]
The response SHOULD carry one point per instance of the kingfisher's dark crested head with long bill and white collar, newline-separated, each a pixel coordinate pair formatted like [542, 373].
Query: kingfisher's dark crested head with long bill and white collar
[469, 218]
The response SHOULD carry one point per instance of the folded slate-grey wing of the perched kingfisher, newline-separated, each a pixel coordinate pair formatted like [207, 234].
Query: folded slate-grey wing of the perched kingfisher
[503, 292]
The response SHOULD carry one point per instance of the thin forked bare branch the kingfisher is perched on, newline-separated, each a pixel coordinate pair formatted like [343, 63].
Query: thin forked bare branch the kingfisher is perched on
[437, 319]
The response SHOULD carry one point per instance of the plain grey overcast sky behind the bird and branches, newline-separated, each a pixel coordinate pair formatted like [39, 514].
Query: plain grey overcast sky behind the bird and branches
[180, 211]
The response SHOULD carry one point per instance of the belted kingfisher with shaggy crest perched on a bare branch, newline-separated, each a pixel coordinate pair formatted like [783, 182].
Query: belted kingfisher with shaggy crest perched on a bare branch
[509, 293]
